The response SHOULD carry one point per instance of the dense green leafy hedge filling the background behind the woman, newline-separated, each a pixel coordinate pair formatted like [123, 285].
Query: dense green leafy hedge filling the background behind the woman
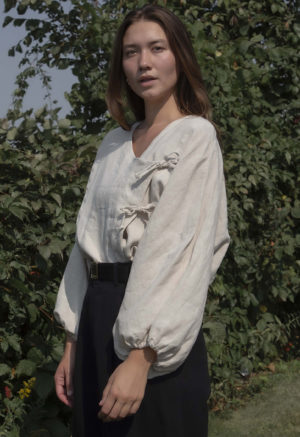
[248, 55]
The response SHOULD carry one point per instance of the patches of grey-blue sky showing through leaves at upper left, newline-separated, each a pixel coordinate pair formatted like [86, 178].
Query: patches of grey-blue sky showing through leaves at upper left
[62, 80]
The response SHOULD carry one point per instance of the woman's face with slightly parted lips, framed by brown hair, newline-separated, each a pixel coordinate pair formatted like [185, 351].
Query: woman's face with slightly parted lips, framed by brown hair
[148, 62]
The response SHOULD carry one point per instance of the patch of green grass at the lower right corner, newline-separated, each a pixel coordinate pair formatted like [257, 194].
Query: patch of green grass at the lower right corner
[275, 412]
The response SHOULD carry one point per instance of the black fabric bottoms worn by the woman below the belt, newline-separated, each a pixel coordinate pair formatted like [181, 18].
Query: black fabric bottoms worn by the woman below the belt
[174, 405]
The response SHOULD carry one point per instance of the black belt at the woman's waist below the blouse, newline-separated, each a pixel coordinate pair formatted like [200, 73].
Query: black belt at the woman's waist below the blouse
[112, 272]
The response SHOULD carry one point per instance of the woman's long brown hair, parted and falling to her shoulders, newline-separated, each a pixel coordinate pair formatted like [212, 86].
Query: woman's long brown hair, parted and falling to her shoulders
[191, 96]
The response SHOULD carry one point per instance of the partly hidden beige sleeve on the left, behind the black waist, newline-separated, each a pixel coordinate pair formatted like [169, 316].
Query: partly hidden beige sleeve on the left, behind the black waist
[71, 292]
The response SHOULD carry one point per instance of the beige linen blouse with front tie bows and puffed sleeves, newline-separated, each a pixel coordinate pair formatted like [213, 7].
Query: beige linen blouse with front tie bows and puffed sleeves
[165, 211]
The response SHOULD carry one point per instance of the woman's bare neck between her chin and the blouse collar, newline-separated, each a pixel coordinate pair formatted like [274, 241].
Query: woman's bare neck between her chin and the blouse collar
[161, 112]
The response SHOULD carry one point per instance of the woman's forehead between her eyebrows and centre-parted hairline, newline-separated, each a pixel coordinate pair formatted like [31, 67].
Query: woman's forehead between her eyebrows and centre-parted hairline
[143, 31]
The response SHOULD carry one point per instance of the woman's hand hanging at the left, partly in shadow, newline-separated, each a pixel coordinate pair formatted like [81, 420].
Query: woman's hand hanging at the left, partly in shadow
[64, 374]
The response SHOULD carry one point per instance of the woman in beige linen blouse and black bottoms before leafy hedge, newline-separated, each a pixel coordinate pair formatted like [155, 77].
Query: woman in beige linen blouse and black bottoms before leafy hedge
[151, 234]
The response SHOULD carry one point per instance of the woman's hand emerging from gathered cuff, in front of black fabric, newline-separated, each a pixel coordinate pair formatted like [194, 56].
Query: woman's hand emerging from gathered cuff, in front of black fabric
[125, 389]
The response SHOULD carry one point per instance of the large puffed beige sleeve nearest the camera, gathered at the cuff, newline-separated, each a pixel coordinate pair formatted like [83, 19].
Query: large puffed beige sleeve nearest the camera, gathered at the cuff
[177, 258]
